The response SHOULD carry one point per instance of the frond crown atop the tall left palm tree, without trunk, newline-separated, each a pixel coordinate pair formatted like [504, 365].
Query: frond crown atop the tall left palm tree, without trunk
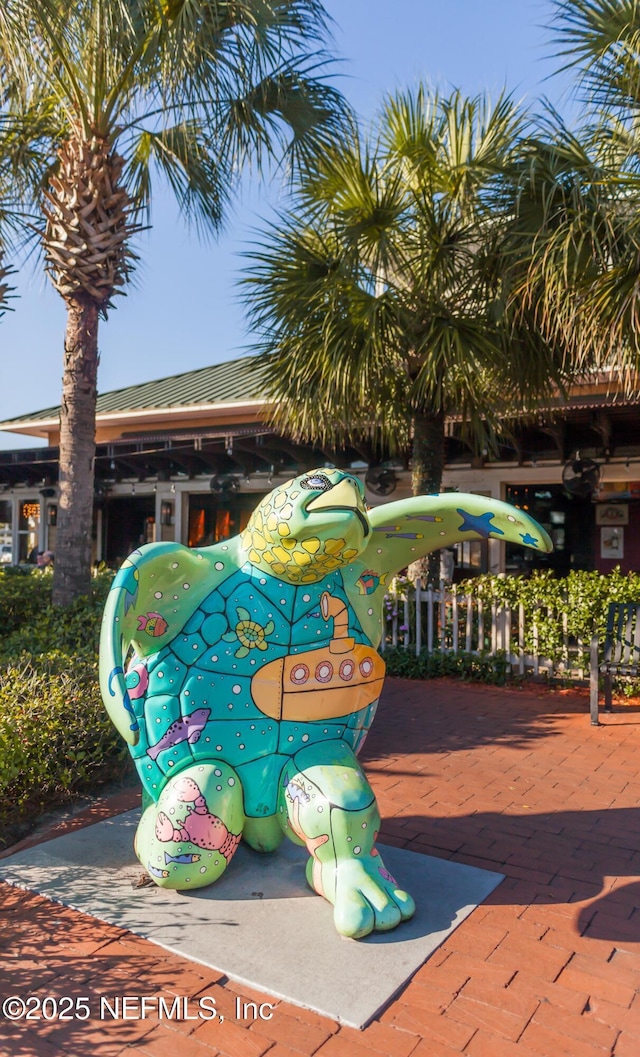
[200, 87]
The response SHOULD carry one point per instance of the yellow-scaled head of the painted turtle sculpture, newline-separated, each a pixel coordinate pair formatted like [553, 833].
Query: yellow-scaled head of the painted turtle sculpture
[309, 527]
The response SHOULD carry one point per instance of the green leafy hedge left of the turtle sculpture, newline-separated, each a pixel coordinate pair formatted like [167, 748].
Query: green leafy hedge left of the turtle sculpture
[57, 739]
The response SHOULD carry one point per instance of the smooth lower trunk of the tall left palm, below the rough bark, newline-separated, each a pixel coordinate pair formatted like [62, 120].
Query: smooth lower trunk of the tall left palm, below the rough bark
[72, 569]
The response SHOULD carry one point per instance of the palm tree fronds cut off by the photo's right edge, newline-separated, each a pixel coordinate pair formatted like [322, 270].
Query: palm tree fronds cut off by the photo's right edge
[580, 196]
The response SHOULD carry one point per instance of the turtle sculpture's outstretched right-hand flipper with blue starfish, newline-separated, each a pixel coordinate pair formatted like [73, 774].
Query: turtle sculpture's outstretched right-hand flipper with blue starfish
[410, 529]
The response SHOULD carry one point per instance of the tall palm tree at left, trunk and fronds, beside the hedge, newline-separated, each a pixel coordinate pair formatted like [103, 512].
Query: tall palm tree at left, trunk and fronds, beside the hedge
[102, 98]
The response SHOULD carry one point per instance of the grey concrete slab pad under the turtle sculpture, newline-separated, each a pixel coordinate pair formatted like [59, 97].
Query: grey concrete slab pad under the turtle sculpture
[260, 924]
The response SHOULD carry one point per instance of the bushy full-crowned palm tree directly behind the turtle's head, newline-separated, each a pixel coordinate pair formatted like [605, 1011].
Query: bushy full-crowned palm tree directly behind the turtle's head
[379, 301]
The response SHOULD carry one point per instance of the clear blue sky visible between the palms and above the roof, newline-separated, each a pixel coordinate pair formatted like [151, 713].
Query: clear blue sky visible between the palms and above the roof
[185, 311]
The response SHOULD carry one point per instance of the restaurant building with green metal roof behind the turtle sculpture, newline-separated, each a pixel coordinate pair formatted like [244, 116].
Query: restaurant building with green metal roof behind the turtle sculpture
[188, 457]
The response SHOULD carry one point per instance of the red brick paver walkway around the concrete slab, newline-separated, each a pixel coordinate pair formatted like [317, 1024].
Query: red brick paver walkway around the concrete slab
[550, 966]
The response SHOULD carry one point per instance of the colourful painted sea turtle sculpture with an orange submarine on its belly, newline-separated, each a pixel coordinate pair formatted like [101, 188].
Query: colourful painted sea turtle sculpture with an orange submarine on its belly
[245, 677]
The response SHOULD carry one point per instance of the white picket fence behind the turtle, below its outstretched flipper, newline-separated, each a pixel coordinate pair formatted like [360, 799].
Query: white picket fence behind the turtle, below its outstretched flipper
[449, 621]
